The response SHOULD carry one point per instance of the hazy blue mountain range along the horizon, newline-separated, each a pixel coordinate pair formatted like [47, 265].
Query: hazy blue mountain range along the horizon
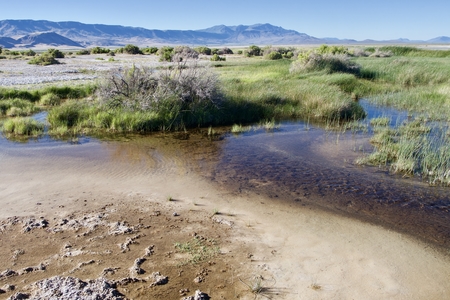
[35, 33]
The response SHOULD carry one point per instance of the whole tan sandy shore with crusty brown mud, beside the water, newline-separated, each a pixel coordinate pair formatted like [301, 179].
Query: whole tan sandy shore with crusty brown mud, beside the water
[298, 251]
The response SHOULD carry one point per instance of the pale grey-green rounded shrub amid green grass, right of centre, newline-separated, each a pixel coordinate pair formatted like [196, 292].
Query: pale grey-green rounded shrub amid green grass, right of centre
[330, 63]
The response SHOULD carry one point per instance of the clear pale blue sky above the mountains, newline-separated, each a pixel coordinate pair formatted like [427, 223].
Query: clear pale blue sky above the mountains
[345, 19]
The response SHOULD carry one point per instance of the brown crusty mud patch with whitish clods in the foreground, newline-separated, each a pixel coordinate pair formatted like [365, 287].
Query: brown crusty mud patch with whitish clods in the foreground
[124, 251]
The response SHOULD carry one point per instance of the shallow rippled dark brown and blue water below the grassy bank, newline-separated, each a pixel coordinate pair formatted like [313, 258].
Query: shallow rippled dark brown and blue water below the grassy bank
[298, 163]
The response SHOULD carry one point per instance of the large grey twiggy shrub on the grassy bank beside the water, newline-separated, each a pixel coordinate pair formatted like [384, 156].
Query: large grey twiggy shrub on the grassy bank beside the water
[186, 93]
